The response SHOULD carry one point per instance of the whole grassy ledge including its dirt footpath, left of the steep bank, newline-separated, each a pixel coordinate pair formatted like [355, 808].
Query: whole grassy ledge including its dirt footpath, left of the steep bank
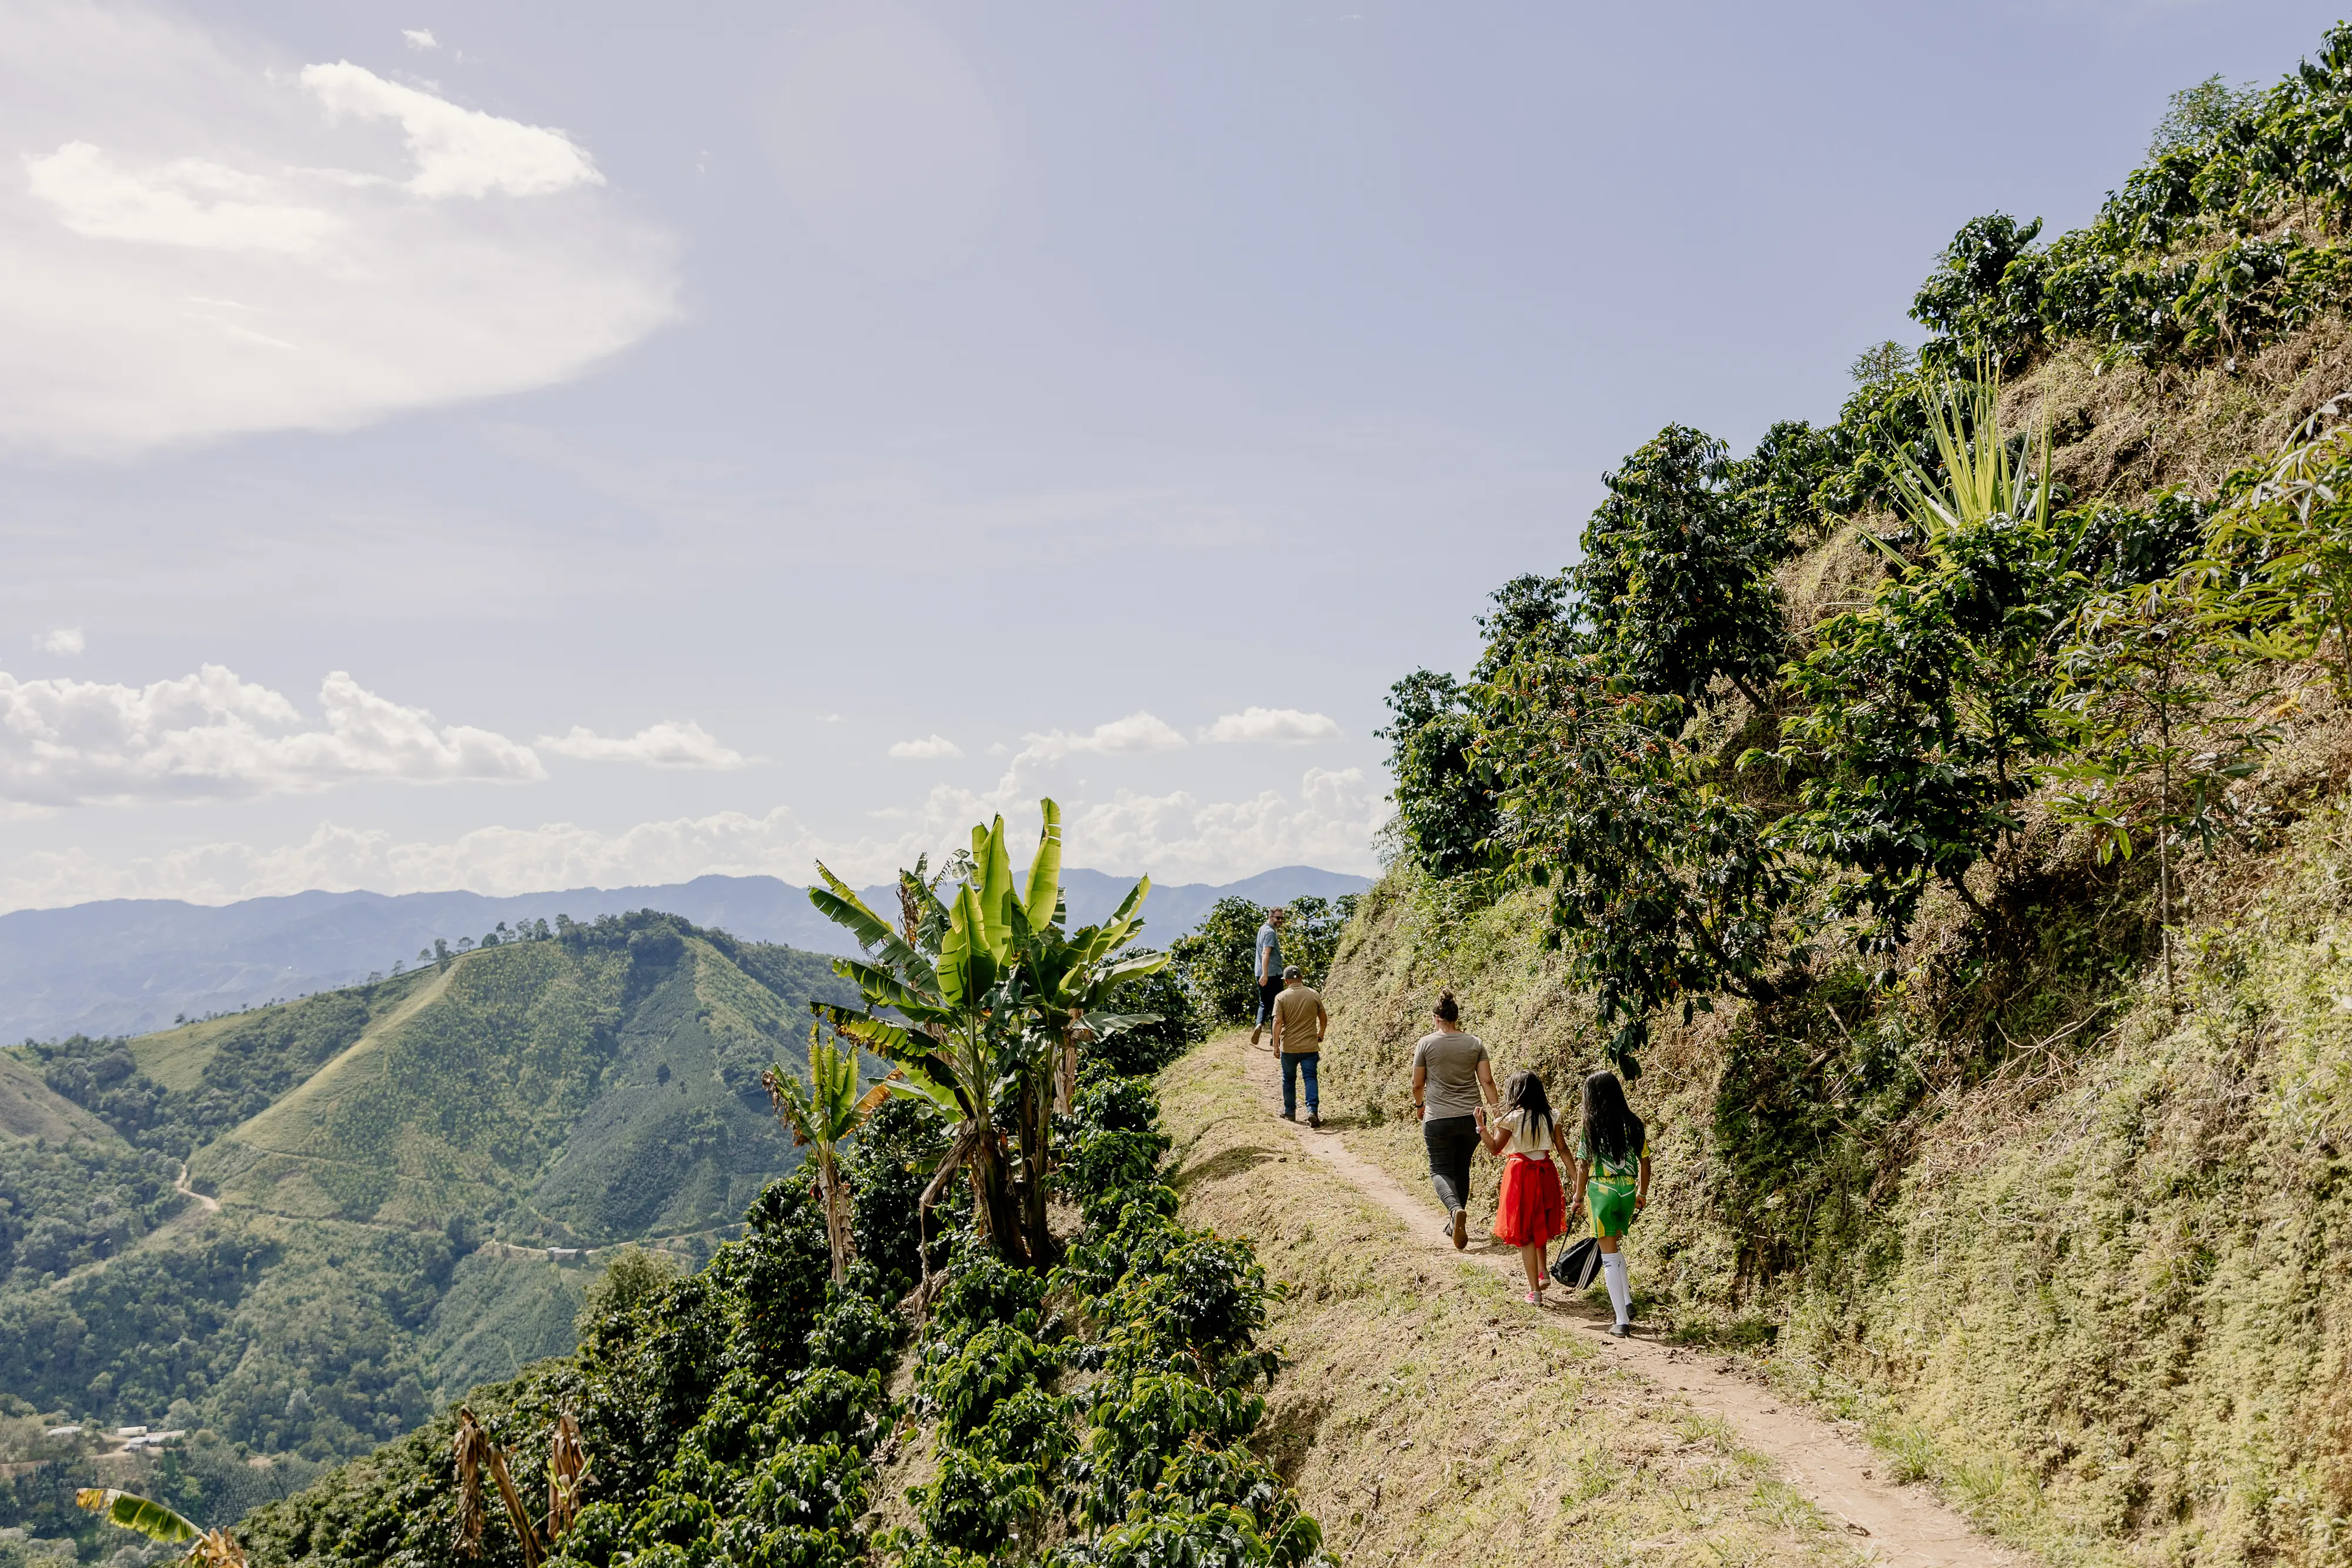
[1429, 1414]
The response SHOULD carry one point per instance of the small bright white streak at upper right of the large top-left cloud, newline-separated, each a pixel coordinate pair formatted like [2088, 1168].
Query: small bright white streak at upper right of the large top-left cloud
[460, 152]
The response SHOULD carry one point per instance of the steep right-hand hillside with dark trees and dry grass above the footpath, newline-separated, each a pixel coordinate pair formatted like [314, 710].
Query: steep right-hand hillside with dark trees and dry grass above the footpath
[2019, 1151]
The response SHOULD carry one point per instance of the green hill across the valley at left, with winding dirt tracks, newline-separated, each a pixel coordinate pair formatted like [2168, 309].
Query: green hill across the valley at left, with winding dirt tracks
[389, 1167]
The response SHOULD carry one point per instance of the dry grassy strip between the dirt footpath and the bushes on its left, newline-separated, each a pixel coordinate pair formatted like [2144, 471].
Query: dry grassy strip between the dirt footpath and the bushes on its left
[1424, 1414]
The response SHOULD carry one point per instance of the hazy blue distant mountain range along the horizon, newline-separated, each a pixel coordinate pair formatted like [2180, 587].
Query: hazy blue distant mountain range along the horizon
[131, 965]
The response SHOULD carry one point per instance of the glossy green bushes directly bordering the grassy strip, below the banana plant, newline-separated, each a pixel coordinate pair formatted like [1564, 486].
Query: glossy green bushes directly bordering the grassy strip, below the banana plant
[1151, 1459]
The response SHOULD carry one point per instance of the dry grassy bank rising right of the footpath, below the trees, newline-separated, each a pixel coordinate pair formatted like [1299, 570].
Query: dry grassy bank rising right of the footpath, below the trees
[2092, 1280]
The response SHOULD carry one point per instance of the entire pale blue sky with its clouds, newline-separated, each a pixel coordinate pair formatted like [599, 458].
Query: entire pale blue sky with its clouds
[516, 448]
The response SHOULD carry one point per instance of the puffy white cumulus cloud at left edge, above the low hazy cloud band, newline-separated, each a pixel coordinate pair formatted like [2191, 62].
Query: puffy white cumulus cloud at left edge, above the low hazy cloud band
[218, 737]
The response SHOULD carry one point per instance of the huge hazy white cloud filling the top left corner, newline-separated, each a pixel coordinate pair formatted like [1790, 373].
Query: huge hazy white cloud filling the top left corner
[215, 239]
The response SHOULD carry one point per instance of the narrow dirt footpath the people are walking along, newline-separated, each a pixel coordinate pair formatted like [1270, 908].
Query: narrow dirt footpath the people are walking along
[1843, 1477]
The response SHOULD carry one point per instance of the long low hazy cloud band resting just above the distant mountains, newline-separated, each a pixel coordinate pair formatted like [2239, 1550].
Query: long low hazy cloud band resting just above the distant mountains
[1175, 838]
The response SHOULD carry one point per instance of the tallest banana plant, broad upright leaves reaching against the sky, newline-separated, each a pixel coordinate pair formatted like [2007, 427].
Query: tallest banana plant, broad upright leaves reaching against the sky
[980, 1003]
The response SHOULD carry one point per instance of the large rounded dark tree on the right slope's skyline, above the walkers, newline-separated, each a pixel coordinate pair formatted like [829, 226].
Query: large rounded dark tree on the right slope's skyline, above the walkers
[1676, 577]
